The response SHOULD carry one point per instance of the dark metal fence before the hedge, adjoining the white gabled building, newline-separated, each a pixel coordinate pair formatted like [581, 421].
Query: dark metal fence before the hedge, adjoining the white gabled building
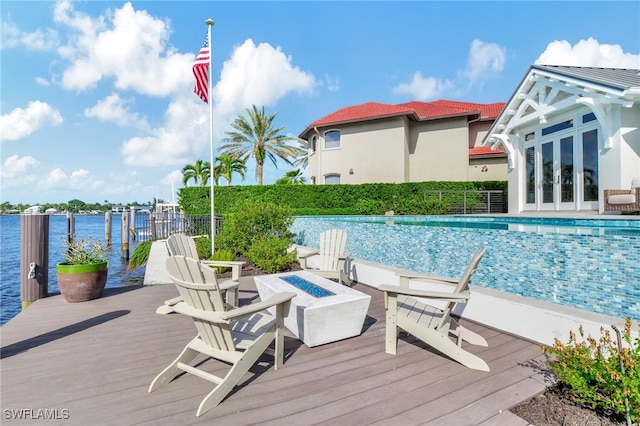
[470, 202]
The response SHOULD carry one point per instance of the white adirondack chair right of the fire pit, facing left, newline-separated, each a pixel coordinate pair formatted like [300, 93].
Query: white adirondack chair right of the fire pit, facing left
[428, 323]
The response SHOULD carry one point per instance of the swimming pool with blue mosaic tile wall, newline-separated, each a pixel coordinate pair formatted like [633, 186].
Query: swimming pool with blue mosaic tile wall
[589, 264]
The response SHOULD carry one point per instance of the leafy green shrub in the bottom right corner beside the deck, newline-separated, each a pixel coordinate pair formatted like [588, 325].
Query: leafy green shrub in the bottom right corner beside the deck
[590, 371]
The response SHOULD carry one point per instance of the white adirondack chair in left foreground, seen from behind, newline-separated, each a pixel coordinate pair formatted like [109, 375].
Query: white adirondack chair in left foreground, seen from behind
[237, 337]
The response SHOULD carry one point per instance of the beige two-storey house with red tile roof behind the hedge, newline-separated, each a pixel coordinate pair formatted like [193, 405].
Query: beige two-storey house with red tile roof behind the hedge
[410, 142]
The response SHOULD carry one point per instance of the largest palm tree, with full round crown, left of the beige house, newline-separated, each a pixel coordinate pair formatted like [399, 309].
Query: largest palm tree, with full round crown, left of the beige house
[256, 137]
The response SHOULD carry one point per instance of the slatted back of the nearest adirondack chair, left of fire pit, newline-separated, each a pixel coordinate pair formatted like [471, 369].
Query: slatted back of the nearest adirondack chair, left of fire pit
[198, 288]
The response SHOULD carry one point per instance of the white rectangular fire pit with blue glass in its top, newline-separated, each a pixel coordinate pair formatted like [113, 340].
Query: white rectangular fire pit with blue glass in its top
[323, 311]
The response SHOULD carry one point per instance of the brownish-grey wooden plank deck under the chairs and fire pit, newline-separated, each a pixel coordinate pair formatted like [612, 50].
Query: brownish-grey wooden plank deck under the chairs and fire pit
[92, 363]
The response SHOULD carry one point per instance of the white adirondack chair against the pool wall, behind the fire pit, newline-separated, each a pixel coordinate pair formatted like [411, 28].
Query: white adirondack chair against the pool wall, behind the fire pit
[331, 256]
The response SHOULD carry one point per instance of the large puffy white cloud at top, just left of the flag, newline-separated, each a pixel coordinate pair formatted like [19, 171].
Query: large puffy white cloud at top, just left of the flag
[128, 45]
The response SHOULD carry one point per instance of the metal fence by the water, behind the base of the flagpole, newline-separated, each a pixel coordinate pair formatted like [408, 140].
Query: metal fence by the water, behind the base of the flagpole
[159, 225]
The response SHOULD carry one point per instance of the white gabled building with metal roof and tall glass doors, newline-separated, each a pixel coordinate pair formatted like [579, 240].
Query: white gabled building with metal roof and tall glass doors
[570, 133]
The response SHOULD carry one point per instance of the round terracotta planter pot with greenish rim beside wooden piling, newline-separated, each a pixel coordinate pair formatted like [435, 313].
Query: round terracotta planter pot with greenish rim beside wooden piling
[79, 283]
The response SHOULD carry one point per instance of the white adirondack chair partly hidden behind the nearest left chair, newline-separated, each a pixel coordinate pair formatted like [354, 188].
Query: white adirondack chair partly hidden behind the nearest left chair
[183, 245]
